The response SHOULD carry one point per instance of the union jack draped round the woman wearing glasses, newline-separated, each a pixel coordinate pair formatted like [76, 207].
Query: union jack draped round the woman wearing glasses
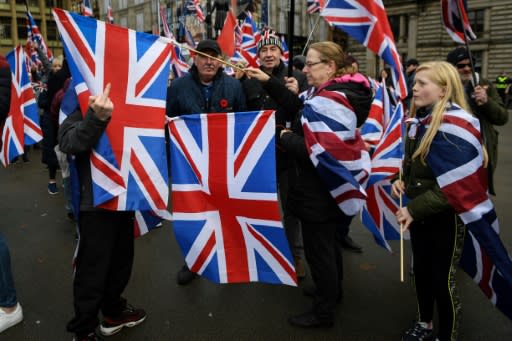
[335, 146]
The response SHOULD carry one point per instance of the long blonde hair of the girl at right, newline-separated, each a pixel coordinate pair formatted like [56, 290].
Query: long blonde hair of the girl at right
[445, 76]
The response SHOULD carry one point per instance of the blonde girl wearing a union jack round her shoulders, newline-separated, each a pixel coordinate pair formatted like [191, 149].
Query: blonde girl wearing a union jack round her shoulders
[437, 232]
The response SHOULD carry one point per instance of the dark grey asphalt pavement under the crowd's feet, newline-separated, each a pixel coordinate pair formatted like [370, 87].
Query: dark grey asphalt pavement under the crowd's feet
[376, 306]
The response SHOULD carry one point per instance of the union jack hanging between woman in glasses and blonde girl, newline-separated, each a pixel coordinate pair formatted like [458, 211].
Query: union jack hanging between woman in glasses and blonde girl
[378, 213]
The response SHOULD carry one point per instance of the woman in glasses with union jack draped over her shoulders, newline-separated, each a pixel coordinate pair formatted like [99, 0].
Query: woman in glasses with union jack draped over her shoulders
[331, 166]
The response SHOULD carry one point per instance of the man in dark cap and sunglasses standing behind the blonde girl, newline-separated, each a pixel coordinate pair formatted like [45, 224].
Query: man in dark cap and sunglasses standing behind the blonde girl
[485, 104]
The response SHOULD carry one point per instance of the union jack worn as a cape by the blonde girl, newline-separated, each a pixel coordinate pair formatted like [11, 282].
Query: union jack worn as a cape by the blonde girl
[456, 158]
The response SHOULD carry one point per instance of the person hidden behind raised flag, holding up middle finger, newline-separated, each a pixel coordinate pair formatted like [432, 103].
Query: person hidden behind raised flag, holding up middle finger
[105, 253]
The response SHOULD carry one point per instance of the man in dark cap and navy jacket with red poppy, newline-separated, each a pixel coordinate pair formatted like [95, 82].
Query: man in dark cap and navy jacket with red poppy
[205, 89]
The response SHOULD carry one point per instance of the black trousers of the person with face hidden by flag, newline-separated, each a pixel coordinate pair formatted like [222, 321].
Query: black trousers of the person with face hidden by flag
[103, 267]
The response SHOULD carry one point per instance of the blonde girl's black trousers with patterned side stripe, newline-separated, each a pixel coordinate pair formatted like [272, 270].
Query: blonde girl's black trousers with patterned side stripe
[436, 247]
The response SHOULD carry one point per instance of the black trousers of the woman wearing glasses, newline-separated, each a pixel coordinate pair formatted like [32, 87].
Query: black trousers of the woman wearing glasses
[325, 262]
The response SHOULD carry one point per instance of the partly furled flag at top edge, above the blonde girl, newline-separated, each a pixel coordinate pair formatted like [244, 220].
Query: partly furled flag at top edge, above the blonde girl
[456, 23]
